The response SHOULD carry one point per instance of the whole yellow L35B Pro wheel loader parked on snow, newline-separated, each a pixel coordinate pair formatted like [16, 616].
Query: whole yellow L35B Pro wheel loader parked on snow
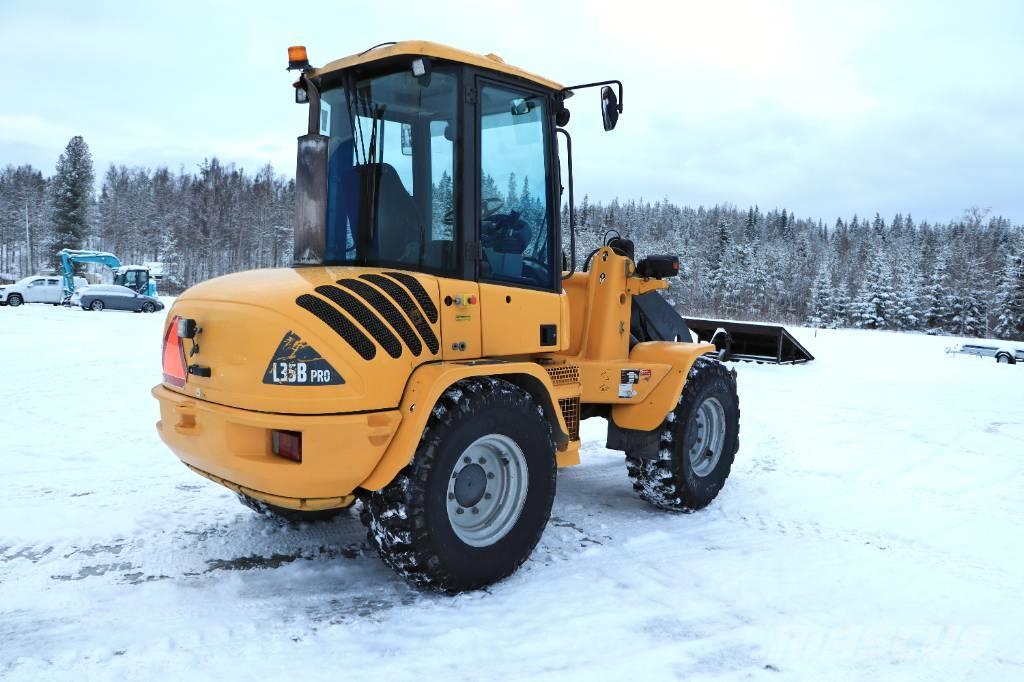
[433, 353]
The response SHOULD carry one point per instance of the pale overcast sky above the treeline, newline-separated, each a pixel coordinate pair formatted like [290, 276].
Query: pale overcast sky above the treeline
[824, 108]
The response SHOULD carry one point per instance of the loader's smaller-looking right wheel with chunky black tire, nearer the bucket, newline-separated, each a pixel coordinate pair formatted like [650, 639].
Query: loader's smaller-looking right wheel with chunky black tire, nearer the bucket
[699, 443]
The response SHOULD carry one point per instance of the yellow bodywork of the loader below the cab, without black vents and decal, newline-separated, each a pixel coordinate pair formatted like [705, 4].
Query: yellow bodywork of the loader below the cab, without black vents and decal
[360, 435]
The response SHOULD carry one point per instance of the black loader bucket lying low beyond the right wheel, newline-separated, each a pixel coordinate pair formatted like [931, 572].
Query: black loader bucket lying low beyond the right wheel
[750, 342]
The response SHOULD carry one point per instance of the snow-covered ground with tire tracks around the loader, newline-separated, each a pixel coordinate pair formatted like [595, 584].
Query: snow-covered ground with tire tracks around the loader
[872, 530]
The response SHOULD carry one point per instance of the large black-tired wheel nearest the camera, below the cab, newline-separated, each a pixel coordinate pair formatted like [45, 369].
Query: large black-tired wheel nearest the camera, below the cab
[472, 506]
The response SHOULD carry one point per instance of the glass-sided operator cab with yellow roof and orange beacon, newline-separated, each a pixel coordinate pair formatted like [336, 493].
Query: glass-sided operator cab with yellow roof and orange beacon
[438, 161]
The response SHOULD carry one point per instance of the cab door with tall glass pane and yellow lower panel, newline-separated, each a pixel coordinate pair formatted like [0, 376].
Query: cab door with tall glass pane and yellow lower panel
[520, 275]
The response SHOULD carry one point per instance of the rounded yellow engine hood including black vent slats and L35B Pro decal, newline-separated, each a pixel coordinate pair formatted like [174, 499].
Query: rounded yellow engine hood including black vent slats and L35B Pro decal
[313, 340]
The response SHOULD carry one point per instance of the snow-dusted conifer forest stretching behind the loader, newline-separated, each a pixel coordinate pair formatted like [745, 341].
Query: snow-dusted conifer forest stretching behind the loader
[965, 277]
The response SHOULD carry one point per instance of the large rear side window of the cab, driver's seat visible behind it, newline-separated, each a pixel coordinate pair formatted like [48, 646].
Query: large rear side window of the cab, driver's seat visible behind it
[391, 170]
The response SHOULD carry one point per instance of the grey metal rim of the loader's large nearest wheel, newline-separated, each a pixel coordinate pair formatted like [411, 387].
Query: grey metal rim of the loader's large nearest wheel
[487, 490]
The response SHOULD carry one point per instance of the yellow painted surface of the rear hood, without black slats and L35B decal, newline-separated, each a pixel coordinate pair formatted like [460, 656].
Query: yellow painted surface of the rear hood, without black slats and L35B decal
[246, 316]
